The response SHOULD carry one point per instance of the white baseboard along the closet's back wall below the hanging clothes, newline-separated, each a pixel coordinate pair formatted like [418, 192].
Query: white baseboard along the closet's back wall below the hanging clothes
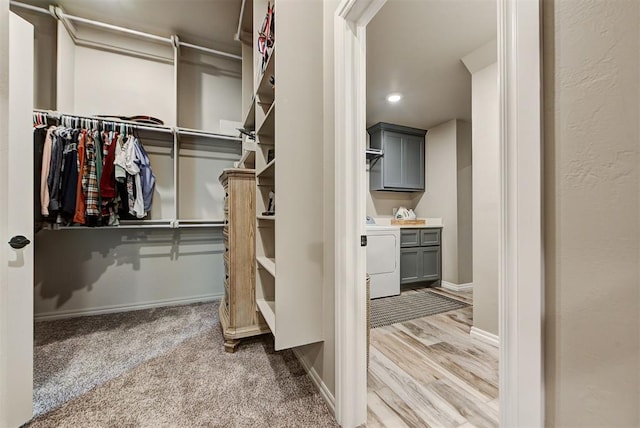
[73, 313]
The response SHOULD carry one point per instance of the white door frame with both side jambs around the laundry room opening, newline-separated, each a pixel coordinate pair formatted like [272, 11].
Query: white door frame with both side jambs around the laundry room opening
[521, 286]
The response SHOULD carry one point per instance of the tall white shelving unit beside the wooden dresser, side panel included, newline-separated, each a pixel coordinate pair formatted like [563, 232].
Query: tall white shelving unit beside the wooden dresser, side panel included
[290, 297]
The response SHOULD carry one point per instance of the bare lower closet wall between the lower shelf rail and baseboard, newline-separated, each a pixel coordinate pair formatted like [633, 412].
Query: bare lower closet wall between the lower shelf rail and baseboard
[105, 270]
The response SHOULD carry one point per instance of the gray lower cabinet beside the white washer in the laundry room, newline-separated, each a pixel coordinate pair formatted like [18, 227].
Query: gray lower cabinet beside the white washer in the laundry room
[420, 255]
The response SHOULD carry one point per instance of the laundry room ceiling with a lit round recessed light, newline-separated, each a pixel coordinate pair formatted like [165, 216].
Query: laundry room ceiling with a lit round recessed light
[414, 47]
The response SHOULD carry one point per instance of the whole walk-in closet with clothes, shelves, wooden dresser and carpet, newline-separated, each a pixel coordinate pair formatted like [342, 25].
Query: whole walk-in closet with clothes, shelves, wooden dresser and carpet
[153, 180]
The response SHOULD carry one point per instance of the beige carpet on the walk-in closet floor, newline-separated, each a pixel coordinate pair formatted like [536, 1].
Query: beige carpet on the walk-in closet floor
[176, 380]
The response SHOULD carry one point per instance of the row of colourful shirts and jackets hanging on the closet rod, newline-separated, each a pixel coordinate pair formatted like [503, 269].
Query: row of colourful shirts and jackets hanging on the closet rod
[86, 175]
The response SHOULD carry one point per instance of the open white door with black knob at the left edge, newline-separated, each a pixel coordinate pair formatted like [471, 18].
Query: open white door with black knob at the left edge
[17, 306]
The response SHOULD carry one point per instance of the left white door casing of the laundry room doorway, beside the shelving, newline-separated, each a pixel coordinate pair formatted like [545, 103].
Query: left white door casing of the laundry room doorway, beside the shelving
[350, 22]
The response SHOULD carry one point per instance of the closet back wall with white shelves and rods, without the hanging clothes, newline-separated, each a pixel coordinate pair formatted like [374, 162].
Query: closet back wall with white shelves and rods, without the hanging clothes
[174, 254]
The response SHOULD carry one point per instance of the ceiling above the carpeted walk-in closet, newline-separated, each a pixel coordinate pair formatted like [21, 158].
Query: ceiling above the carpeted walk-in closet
[210, 23]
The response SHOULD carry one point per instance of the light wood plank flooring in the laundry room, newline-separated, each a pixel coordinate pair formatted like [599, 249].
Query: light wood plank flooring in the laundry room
[430, 372]
